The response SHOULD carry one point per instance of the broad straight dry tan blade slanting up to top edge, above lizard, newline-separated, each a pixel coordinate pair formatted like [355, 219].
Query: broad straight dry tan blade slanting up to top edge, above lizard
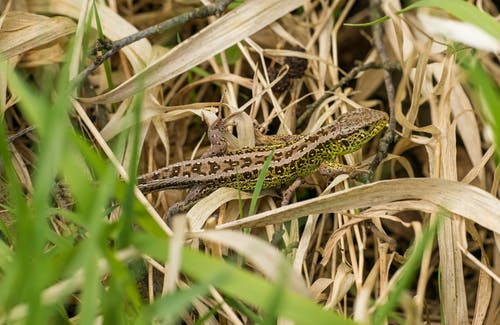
[242, 22]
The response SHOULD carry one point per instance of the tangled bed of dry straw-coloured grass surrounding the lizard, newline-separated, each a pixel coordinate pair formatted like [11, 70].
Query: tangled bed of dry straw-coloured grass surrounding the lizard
[347, 242]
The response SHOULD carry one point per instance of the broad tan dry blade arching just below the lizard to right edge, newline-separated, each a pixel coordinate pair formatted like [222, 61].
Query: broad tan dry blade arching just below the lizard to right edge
[465, 200]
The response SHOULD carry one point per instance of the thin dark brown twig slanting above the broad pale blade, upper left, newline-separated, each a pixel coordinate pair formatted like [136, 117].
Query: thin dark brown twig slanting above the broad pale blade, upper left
[111, 48]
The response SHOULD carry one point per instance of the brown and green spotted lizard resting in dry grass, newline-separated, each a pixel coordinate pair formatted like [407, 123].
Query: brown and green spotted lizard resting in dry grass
[295, 157]
